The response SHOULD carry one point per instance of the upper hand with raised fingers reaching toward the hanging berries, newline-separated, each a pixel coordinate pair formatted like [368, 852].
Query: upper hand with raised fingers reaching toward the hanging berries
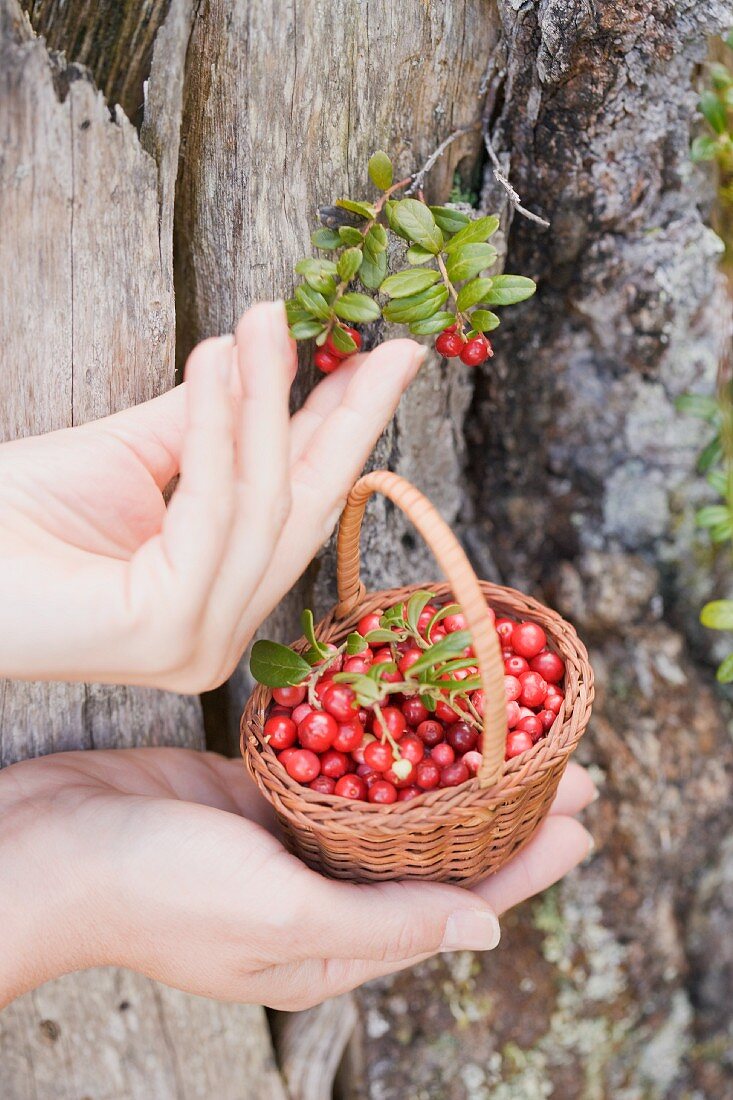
[130, 592]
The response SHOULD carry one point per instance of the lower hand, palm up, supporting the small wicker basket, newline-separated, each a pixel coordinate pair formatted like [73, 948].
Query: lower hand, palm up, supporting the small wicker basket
[166, 862]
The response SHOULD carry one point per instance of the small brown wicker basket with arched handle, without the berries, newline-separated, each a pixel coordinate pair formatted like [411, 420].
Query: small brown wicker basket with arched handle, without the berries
[458, 834]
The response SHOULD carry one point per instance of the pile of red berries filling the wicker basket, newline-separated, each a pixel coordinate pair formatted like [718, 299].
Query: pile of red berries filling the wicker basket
[396, 752]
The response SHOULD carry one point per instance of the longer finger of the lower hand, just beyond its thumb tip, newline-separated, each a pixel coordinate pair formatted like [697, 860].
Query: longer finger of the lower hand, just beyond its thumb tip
[559, 845]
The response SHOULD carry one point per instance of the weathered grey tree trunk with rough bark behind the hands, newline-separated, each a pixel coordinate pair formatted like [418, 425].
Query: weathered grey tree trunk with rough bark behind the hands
[564, 466]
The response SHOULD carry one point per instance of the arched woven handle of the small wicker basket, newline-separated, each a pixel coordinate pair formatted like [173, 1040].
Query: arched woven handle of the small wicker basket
[453, 560]
